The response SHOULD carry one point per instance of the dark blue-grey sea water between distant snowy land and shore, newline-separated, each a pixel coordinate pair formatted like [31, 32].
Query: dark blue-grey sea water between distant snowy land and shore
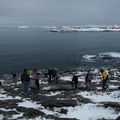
[37, 47]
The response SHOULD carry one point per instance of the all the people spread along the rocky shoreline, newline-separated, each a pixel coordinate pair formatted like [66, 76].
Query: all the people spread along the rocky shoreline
[30, 79]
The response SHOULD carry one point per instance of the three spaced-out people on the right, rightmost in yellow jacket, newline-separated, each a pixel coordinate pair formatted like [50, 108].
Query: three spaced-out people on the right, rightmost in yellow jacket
[88, 79]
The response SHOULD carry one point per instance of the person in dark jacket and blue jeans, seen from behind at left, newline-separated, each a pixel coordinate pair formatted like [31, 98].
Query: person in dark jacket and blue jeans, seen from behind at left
[25, 78]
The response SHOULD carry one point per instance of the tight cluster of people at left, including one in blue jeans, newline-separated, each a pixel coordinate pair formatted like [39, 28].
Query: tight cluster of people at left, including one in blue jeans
[30, 80]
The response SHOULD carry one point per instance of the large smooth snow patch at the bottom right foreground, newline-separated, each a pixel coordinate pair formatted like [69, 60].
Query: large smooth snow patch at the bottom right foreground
[90, 112]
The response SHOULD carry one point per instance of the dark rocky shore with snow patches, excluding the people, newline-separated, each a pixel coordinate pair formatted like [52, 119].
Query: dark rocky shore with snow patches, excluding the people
[60, 101]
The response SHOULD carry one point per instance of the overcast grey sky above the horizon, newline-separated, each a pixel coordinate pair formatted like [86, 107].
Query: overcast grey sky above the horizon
[60, 12]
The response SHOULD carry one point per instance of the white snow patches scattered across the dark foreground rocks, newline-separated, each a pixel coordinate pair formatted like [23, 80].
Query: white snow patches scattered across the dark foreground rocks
[82, 111]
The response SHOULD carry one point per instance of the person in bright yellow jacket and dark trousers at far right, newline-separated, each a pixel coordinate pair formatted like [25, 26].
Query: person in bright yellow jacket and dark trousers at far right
[105, 78]
